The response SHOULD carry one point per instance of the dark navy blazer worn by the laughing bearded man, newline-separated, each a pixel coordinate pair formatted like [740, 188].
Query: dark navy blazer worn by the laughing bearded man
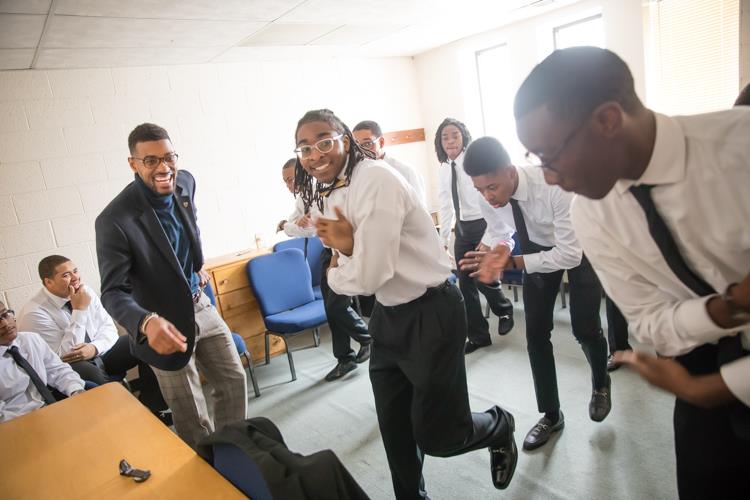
[140, 272]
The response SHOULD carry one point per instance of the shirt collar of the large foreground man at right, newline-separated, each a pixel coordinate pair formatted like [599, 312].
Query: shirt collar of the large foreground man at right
[668, 163]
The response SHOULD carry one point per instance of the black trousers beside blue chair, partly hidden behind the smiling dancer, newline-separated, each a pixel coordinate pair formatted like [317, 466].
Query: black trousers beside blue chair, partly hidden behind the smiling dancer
[343, 320]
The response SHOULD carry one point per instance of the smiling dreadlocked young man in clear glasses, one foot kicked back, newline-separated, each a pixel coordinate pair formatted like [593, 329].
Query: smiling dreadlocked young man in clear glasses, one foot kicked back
[387, 246]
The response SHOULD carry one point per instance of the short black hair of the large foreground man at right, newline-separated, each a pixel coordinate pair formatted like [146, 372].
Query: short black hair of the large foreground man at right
[572, 82]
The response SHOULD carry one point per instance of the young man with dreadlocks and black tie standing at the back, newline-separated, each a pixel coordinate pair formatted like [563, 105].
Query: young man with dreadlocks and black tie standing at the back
[456, 194]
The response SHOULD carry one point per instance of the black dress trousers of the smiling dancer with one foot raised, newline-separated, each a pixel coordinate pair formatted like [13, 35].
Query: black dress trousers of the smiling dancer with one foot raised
[419, 382]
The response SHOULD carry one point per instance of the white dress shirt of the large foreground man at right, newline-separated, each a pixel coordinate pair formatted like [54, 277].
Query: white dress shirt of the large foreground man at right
[700, 167]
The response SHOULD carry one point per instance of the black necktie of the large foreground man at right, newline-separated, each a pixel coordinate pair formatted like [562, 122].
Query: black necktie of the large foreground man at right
[730, 348]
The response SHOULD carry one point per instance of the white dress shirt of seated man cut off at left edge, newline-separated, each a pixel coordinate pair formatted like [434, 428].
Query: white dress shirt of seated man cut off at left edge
[18, 394]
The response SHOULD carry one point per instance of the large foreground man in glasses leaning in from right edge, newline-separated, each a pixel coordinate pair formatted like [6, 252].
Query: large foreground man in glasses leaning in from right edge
[663, 216]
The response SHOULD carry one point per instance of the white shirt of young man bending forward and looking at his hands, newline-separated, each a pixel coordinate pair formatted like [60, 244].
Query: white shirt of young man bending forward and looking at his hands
[546, 212]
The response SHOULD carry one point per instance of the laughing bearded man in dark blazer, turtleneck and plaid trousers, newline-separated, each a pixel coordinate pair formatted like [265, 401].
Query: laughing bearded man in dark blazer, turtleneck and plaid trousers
[150, 260]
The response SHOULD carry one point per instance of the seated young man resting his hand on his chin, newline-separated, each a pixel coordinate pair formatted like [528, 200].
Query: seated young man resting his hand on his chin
[68, 315]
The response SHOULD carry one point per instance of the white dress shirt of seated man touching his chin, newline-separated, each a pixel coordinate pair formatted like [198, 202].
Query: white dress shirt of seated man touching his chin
[45, 314]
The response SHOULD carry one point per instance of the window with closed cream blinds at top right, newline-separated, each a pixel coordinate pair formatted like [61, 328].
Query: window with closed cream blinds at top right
[692, 55]
